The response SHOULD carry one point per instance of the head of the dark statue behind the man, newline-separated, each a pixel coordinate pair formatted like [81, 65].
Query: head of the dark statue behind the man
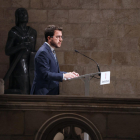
[21, 16]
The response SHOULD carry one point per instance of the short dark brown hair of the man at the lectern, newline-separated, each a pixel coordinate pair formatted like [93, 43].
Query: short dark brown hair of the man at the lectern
[49, 31]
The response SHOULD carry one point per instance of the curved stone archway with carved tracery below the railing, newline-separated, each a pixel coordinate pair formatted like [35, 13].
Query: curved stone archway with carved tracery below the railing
[57, 124]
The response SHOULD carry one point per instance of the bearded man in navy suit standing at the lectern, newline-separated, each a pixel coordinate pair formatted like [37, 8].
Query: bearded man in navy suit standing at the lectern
[47, 72]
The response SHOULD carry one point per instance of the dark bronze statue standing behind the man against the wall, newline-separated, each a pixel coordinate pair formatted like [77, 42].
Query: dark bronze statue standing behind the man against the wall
[20, 47]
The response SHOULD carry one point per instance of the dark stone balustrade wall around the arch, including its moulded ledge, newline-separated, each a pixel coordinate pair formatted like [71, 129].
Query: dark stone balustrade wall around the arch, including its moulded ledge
[23, 116]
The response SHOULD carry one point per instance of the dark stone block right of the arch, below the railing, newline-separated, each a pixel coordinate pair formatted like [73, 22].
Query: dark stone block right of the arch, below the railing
[123, 125]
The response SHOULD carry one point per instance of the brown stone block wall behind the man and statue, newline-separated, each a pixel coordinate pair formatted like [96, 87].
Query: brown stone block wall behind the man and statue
[106, 30]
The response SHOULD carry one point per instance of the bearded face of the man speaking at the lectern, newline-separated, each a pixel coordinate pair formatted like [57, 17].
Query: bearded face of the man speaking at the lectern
[56, 40]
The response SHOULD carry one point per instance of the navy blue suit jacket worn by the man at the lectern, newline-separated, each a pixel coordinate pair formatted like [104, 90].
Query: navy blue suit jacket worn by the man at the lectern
[47, 73]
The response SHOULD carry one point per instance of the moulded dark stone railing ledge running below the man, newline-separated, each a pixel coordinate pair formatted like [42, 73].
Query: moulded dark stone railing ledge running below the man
[69, 103]
